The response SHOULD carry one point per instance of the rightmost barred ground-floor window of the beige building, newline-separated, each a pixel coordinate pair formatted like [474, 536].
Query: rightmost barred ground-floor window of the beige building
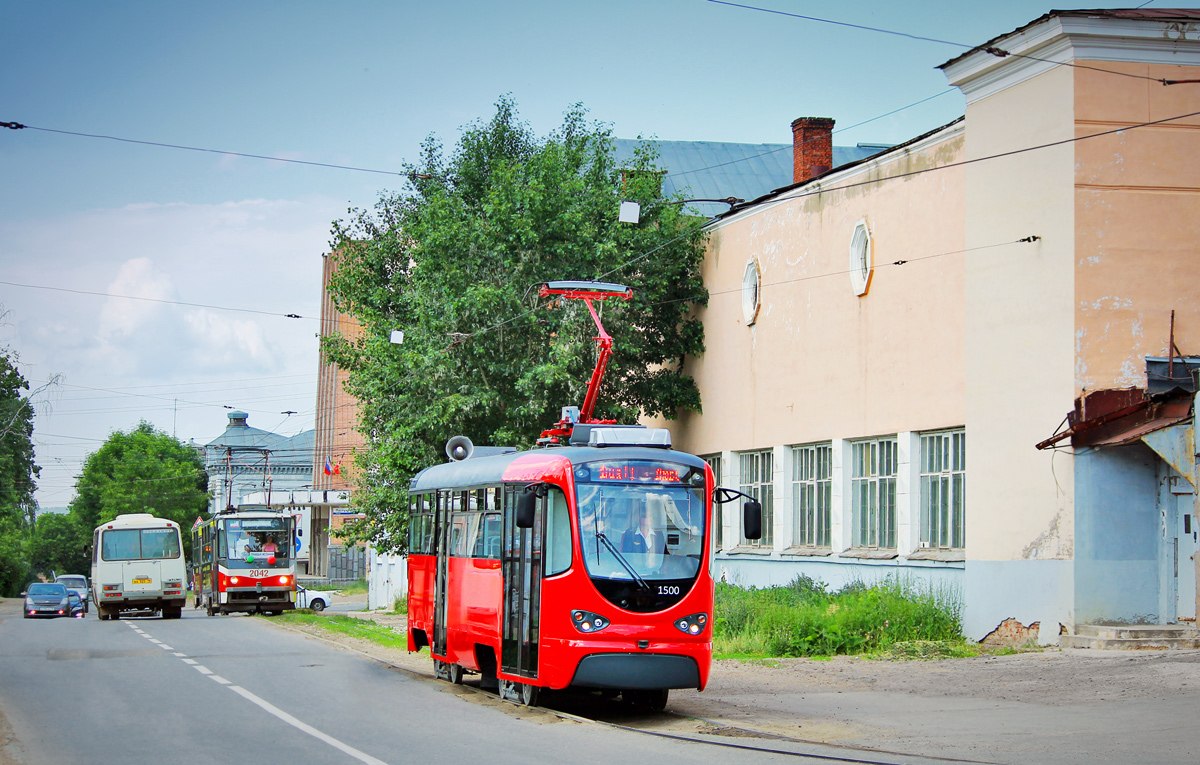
[944, 485]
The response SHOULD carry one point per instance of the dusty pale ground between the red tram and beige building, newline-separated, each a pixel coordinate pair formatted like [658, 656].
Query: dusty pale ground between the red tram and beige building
[1051, 707]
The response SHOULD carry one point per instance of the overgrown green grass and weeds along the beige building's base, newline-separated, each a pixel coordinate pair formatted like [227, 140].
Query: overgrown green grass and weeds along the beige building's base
[803, 619]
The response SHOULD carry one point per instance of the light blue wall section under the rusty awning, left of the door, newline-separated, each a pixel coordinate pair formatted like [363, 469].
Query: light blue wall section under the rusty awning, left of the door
[1118, 535]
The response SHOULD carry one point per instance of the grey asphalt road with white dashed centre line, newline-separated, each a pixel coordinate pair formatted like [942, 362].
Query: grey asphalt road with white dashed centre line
[236, 689]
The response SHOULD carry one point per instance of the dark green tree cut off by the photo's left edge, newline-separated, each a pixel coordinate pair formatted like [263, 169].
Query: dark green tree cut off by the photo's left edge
[19, 477]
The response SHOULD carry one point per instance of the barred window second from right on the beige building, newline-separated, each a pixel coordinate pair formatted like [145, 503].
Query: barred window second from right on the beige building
[873, 491]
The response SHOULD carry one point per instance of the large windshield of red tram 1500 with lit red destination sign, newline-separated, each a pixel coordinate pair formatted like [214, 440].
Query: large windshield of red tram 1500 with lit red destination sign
[641, 521]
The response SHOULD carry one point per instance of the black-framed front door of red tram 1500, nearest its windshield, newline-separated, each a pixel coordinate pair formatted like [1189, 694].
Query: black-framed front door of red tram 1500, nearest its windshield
[521, 563]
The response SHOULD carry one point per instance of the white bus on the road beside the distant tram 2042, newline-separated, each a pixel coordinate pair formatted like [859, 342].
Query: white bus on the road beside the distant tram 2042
[137, 565]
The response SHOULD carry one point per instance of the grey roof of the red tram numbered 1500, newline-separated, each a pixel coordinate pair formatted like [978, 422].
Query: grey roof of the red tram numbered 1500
[490, 471]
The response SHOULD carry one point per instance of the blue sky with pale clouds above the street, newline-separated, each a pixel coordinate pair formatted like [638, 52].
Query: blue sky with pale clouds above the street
[221, 248]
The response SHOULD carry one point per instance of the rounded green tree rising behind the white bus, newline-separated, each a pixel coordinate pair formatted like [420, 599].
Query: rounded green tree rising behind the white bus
[141, 472]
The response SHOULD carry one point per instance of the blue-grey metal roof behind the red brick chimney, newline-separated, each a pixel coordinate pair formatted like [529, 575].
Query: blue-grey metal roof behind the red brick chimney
[715, 170]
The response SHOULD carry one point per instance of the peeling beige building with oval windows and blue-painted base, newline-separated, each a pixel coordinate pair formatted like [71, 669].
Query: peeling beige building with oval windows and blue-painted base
[889, 341]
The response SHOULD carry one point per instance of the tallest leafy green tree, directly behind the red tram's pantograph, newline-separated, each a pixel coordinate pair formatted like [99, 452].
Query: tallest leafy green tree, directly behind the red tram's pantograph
[455, 261]
